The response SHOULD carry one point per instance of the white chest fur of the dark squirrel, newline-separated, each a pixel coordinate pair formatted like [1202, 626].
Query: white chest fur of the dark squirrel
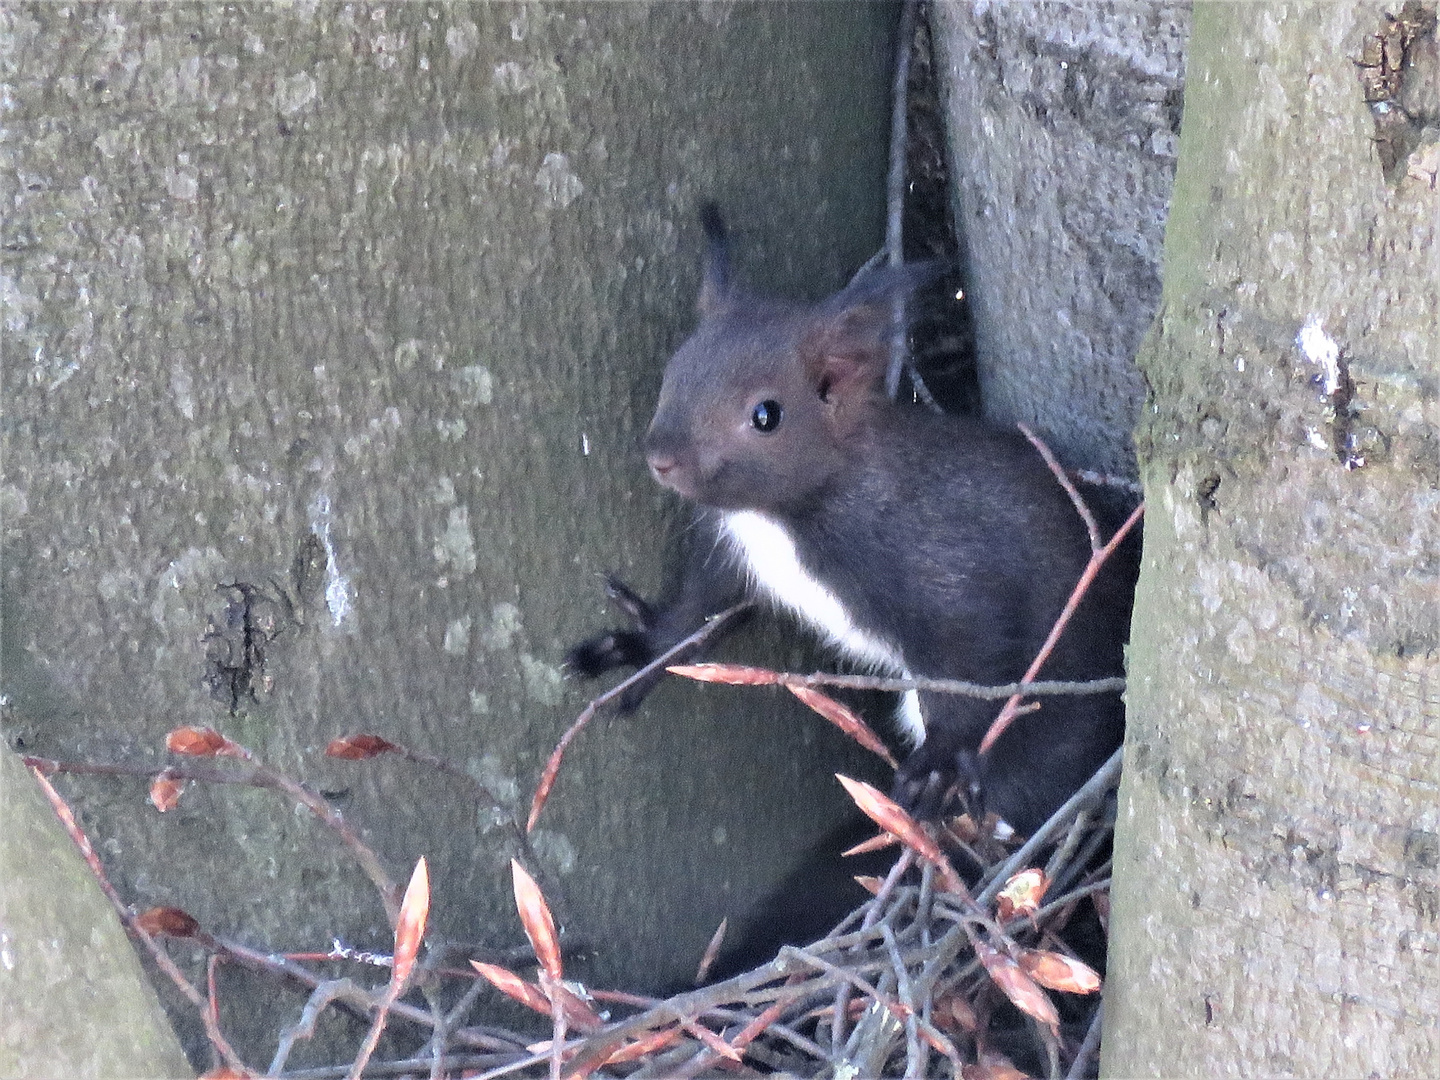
[768, 554]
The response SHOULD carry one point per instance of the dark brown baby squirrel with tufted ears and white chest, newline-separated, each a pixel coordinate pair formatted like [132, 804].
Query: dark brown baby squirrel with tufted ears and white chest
[915, 544]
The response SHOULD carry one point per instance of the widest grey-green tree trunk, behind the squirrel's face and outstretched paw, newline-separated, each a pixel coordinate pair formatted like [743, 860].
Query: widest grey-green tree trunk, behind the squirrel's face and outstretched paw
[330, 335]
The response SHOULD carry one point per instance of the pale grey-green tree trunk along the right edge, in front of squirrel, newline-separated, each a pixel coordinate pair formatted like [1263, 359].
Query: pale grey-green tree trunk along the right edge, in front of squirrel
[1278, 855]
